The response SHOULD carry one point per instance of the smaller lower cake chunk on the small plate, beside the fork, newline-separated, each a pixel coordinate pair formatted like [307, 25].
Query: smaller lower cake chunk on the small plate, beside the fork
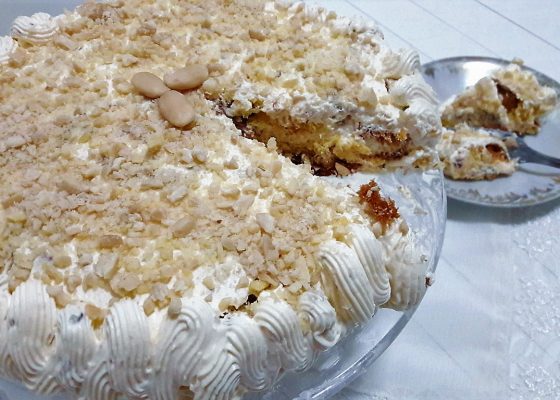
[474, 154]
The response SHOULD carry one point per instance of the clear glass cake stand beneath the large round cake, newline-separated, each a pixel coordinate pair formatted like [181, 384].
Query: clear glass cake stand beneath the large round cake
[421, 200]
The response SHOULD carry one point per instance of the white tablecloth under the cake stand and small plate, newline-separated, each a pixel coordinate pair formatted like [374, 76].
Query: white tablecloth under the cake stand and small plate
[490, 326]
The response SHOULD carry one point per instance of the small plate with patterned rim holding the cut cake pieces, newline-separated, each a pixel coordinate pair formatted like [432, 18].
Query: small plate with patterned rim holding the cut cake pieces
[530, 184]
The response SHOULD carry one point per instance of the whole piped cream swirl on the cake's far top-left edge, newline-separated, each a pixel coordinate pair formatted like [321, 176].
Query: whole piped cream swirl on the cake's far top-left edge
[37, 29]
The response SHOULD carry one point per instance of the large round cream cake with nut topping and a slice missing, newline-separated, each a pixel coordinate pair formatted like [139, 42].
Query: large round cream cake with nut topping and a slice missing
[157, 240]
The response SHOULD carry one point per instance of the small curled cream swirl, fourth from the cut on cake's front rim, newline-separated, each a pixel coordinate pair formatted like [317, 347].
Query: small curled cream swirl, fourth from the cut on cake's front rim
[316, 310]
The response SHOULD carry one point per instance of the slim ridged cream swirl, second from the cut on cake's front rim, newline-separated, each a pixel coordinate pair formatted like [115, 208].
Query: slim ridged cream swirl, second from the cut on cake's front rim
[372, 256]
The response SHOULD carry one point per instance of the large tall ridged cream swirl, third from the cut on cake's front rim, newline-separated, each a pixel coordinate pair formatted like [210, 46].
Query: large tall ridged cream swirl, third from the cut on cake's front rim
[345, 282]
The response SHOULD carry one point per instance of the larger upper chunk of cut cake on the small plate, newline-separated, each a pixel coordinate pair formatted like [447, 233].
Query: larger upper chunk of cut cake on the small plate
[510, 99]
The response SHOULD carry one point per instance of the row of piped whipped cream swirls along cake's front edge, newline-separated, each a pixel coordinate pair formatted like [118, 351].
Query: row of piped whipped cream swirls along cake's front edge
[52, 349]
